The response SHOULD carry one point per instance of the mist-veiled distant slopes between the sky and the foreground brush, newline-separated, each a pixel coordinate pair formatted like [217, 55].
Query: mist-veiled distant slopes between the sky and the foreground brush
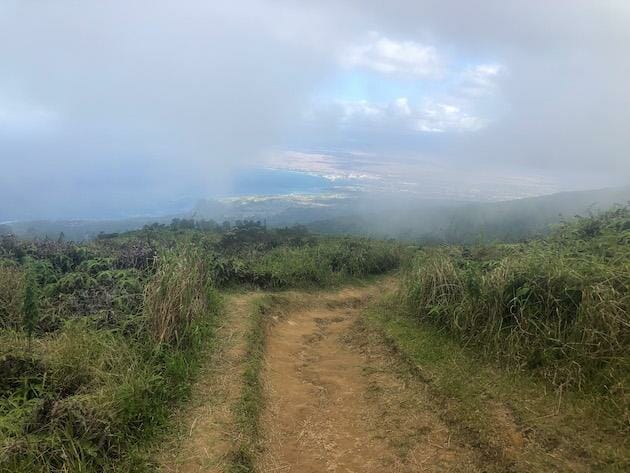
[378, 215]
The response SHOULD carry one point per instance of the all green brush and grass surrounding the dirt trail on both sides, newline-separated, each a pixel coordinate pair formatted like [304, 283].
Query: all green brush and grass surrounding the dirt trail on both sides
[99, 339]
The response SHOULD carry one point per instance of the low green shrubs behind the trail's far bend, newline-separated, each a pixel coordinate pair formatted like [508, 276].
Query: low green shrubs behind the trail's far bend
[250, 254]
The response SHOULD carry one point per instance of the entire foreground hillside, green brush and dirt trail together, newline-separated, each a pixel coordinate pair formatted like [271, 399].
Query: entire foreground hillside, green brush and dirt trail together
[194, 346]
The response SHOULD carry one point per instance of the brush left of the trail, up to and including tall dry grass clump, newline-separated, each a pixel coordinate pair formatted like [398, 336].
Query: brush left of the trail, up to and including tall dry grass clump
[95, 378]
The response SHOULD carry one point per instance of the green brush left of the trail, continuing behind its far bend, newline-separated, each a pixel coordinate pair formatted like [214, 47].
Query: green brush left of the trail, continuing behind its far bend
[98, 339]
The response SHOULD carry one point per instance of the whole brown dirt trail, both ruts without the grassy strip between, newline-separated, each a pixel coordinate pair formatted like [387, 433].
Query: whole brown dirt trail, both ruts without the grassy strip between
[339, 398]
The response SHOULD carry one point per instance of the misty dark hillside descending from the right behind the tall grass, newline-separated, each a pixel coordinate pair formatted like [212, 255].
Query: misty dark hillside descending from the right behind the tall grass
[457, 222]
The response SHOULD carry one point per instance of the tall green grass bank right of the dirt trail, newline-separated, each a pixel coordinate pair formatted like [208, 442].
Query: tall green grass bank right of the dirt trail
[559, 307]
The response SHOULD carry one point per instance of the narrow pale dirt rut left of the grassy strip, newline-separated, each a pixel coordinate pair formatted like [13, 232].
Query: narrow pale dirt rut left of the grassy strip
[206, 428]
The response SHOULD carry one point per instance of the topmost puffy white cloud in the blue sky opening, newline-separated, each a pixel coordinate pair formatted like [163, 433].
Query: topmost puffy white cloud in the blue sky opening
[387, 56]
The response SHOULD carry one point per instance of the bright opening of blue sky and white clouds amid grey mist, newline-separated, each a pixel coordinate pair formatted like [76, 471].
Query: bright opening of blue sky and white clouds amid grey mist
[410, 88]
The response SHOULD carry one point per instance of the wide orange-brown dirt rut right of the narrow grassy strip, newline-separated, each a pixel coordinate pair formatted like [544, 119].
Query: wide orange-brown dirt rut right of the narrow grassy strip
[333, 406]
